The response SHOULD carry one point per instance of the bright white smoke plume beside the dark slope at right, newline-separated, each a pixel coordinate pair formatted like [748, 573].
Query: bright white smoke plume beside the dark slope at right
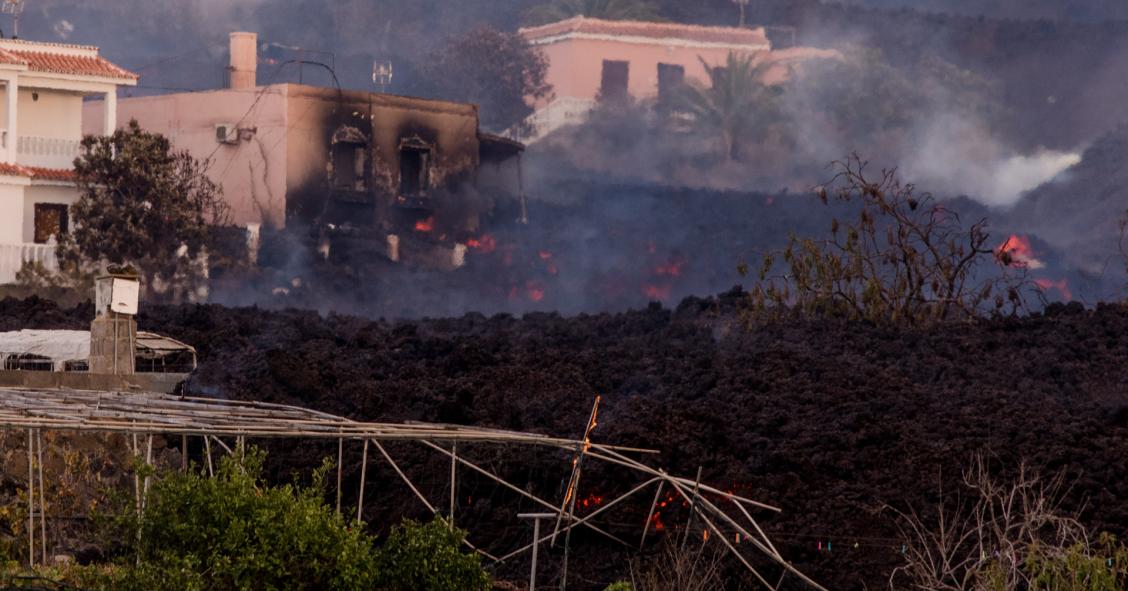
[958, 156]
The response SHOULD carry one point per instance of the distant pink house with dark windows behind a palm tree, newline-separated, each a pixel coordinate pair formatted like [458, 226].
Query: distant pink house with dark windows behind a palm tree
[591, 58]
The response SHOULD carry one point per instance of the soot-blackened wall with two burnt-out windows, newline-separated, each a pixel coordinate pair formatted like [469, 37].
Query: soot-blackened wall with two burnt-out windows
[376, 161]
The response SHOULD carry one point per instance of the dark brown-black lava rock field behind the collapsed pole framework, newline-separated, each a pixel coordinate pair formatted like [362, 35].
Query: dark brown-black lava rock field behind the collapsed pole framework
[830, 421]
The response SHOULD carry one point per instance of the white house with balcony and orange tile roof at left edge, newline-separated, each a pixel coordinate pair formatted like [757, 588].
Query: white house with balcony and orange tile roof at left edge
[41, 127]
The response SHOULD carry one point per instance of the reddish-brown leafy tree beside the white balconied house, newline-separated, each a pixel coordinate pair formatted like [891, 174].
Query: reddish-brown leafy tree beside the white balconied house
[143, 205]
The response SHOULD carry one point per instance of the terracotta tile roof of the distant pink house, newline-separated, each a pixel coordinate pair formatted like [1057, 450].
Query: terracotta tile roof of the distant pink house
[658, 31]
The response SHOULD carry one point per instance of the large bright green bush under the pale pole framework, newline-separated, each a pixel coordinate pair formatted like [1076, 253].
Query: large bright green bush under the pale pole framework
[232, 533]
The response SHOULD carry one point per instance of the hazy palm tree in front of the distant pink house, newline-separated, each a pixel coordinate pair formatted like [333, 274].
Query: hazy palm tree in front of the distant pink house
[737, 105]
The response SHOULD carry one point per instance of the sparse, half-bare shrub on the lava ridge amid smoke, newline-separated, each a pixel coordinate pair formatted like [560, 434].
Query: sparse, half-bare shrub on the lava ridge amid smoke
[904, 261]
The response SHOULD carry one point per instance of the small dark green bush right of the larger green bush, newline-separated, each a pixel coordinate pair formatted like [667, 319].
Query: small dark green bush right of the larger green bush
[428, 558]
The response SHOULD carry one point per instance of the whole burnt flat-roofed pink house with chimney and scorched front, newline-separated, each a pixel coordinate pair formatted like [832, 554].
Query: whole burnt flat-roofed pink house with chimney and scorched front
[383, 167]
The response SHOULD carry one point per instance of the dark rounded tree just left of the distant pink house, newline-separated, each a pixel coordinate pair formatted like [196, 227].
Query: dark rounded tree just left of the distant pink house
[497, 70]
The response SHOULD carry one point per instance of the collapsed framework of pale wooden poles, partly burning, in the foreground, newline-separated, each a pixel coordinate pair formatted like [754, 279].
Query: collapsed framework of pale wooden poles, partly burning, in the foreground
[724, 515]
